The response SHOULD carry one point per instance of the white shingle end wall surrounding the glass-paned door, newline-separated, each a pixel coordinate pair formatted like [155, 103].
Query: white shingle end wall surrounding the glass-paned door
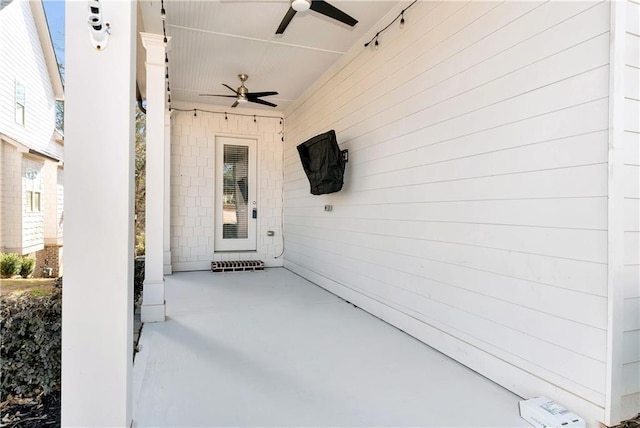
[192, 186]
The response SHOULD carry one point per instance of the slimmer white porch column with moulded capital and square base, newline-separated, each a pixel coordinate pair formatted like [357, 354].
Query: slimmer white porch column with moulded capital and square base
[153, 304]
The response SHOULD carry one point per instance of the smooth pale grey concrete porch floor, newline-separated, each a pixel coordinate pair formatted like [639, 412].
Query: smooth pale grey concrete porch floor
[269, 348]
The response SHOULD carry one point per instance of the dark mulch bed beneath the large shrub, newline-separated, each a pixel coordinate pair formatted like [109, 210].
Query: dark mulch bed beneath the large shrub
[38, 412]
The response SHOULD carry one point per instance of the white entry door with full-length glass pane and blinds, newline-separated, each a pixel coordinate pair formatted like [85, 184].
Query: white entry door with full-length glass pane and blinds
[235, 198]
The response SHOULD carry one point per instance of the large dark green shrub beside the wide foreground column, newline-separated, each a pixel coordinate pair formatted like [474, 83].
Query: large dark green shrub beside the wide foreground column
[30, 352]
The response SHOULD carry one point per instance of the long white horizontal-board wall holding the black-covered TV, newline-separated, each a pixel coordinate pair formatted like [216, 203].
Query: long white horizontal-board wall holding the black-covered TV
[474, 213]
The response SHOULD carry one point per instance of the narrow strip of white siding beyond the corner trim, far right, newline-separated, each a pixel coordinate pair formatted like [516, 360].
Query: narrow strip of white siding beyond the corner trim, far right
[631, 337]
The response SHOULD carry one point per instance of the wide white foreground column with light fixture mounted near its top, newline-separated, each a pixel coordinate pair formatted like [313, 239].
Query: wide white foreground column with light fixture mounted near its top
[97, 321]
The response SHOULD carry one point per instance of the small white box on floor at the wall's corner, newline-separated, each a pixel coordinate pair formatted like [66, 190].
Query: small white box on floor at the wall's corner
[545, 413]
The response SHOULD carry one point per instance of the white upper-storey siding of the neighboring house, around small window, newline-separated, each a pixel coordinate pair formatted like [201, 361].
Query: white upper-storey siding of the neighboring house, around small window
[23, 61]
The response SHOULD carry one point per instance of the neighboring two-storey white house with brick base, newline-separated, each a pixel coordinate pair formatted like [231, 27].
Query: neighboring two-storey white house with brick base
[31, 148]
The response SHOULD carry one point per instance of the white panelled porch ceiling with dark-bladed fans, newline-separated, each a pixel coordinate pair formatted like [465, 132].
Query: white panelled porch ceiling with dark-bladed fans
[214, 41]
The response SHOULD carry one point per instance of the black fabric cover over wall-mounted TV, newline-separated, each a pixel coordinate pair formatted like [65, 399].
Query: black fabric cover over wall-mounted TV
[323, 163]
